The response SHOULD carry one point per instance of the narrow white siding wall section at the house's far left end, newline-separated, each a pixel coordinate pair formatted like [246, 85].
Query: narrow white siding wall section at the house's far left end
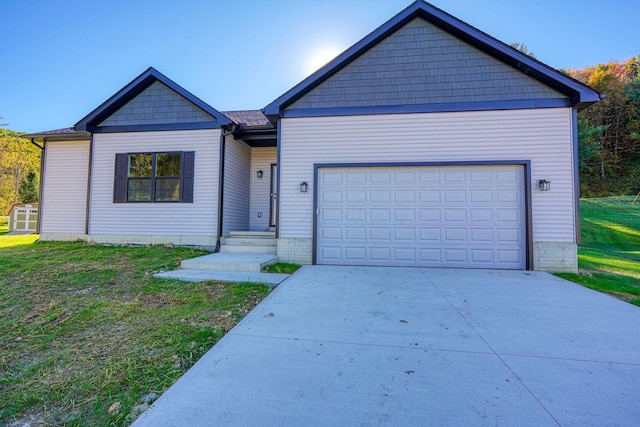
[64, 200]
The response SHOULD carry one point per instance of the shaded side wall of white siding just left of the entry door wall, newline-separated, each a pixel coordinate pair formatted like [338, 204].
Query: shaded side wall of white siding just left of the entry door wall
[236, 186]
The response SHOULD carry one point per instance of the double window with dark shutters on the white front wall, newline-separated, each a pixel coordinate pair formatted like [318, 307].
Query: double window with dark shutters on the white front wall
[154, 177]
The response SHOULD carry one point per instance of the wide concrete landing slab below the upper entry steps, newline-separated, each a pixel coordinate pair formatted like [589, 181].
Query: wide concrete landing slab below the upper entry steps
[230, 262]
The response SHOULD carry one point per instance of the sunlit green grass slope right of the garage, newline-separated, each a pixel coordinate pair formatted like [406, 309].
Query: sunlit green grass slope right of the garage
[609, 255]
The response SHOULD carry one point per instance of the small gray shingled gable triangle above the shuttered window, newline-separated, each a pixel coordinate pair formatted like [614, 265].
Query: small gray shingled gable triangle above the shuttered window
[156, 105]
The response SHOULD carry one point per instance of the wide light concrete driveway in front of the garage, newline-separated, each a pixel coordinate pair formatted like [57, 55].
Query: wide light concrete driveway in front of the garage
[347, 346]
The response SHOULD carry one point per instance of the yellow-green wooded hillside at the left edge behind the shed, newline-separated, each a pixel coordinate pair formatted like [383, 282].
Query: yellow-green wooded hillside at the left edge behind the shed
[19, 169]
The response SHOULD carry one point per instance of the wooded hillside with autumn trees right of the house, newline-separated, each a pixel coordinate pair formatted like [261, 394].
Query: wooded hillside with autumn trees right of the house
[610, 130]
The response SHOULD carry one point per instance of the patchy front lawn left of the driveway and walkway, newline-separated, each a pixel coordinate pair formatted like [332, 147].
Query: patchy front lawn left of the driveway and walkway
[86, 328]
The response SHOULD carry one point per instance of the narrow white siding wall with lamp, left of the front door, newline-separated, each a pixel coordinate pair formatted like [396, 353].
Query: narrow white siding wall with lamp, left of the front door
[261, 159]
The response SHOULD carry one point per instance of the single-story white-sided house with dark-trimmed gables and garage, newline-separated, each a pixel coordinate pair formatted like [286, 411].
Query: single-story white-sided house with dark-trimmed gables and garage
[427, 143]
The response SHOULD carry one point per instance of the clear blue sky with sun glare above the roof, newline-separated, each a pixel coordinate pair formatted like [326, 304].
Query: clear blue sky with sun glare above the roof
[63, 58]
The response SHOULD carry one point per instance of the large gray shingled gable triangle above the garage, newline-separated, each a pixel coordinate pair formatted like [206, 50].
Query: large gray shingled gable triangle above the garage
[422, 64]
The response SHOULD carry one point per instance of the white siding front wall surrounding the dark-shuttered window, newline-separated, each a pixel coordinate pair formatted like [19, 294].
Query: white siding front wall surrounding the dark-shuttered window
[155, 219]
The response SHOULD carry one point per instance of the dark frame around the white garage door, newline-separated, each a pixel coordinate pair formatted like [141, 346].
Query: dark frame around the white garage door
[526, 165]
